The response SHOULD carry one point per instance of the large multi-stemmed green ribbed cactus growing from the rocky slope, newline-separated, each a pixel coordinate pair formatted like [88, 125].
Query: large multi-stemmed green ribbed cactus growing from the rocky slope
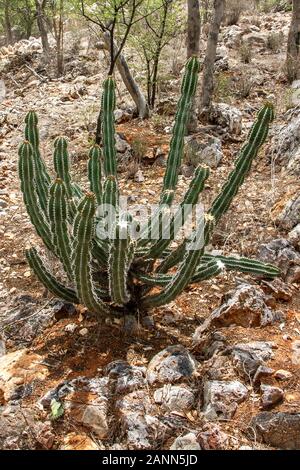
[106, 268]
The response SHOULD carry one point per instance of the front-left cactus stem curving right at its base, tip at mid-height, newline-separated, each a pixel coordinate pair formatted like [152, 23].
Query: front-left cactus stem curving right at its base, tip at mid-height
[83, 232]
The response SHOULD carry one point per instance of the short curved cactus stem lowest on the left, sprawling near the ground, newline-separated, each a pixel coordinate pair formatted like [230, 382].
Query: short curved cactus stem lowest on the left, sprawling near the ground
[46, 278]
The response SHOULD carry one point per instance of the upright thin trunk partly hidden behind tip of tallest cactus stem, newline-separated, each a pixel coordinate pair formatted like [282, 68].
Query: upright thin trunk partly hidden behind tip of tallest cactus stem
[193, 48]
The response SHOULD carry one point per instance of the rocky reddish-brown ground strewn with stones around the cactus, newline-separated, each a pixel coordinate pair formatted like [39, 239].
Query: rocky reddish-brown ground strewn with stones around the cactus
[220, 367]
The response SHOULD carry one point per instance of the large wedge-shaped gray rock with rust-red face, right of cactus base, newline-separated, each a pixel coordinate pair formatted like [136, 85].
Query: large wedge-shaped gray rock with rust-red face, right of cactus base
[244, 306]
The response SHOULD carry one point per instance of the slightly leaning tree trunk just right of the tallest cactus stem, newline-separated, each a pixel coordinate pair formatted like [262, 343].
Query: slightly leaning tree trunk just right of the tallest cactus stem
[209, 61]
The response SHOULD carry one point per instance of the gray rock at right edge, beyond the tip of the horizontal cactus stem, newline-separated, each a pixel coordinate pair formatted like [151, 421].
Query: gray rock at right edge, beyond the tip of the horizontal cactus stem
[282, 253]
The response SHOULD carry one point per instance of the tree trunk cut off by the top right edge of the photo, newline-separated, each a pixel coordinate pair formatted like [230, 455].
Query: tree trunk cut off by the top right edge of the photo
[293, 45]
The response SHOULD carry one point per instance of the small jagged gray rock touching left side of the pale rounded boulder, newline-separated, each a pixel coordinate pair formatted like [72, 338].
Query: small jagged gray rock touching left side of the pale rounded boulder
[127, 378]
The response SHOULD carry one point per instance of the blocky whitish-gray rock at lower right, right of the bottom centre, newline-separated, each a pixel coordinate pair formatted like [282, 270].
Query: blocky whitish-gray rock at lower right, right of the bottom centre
[220, 399]
